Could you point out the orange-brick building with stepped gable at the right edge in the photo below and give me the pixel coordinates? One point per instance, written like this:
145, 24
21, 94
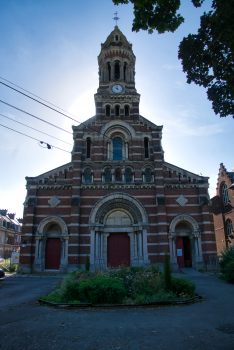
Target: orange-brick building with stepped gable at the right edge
223, 209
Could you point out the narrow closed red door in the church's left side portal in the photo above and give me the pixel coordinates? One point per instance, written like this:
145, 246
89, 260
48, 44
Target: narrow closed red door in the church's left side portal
53, 254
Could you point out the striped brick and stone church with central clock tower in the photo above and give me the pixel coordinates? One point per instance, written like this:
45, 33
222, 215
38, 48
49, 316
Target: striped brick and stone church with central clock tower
118, 200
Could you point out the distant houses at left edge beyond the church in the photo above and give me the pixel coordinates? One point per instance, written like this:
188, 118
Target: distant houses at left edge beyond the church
10, 234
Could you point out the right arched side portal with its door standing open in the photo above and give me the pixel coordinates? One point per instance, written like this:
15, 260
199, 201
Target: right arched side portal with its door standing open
185, 243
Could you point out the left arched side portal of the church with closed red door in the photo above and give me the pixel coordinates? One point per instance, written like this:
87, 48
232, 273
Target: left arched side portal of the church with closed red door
51, 252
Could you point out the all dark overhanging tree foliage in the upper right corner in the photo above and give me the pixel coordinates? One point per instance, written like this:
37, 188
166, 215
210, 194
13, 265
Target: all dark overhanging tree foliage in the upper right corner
207, 57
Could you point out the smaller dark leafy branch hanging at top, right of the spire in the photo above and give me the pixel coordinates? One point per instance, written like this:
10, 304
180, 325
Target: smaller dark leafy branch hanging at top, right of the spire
160, 15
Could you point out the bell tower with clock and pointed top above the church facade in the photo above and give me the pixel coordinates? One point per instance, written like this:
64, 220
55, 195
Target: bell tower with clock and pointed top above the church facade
116, 95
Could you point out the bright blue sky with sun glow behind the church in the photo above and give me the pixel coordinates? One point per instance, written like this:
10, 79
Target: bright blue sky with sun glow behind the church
50, 48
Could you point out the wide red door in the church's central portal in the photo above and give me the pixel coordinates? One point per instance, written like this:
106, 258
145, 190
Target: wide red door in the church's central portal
118, 250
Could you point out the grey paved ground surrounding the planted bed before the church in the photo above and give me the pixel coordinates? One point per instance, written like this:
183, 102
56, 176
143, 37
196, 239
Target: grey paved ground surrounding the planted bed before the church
206, 325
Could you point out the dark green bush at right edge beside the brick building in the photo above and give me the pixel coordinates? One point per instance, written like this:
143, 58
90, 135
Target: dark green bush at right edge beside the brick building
227, 264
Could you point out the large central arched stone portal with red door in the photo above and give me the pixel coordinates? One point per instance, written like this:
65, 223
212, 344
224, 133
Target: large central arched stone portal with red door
118, 224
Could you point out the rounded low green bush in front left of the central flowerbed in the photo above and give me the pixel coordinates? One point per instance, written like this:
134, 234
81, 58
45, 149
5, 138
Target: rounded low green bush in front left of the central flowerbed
101, 289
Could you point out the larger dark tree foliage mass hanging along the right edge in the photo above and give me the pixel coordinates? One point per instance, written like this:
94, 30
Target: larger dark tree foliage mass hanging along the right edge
207, 57
